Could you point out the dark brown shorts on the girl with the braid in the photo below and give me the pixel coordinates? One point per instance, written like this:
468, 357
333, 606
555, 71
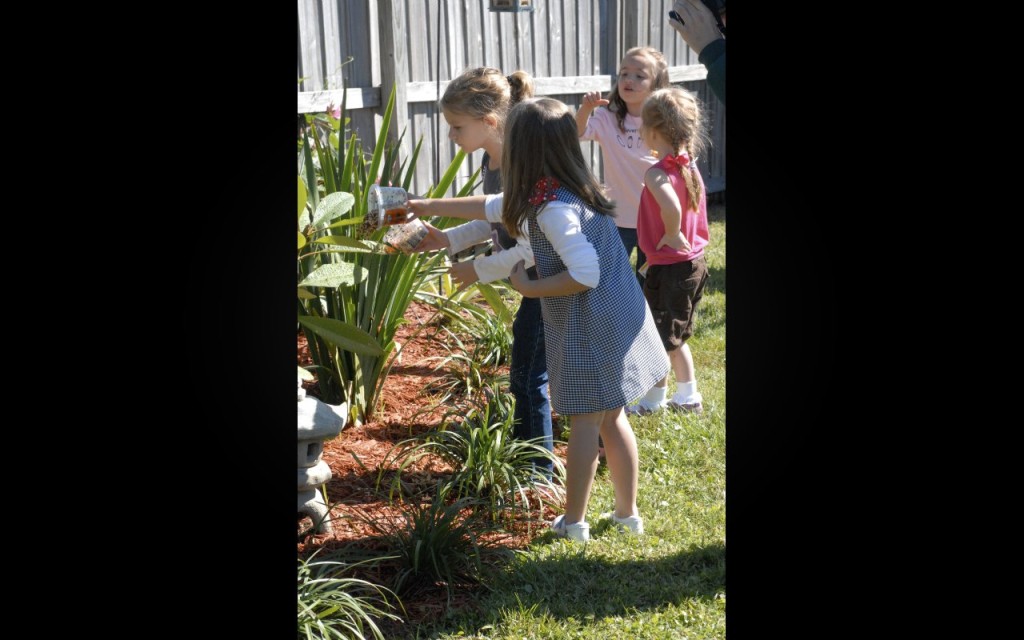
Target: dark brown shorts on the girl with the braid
673, 292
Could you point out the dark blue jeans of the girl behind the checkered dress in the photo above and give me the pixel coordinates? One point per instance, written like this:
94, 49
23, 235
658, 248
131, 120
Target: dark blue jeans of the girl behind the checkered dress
529, 378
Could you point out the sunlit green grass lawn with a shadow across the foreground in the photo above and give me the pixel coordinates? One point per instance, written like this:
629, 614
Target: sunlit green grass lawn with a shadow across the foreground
669, 583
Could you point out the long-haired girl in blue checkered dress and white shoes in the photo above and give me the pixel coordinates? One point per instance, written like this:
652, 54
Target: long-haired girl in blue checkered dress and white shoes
602, 344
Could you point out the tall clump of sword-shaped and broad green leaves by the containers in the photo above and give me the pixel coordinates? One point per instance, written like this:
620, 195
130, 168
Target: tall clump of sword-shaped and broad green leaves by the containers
350, 288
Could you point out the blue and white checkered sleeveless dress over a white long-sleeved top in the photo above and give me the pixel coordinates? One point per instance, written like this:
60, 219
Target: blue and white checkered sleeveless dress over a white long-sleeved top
603, 348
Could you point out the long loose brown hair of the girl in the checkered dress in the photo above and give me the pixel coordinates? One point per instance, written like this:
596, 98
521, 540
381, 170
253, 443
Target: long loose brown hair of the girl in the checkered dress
542, 141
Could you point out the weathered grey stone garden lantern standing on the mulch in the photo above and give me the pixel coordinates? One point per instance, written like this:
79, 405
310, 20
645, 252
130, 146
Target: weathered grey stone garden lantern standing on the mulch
318, 422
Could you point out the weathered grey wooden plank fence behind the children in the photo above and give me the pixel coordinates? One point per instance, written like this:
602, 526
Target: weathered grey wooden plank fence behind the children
365, 49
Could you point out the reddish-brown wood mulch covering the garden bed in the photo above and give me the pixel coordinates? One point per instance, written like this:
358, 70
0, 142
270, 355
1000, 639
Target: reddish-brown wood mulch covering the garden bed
360, 451
